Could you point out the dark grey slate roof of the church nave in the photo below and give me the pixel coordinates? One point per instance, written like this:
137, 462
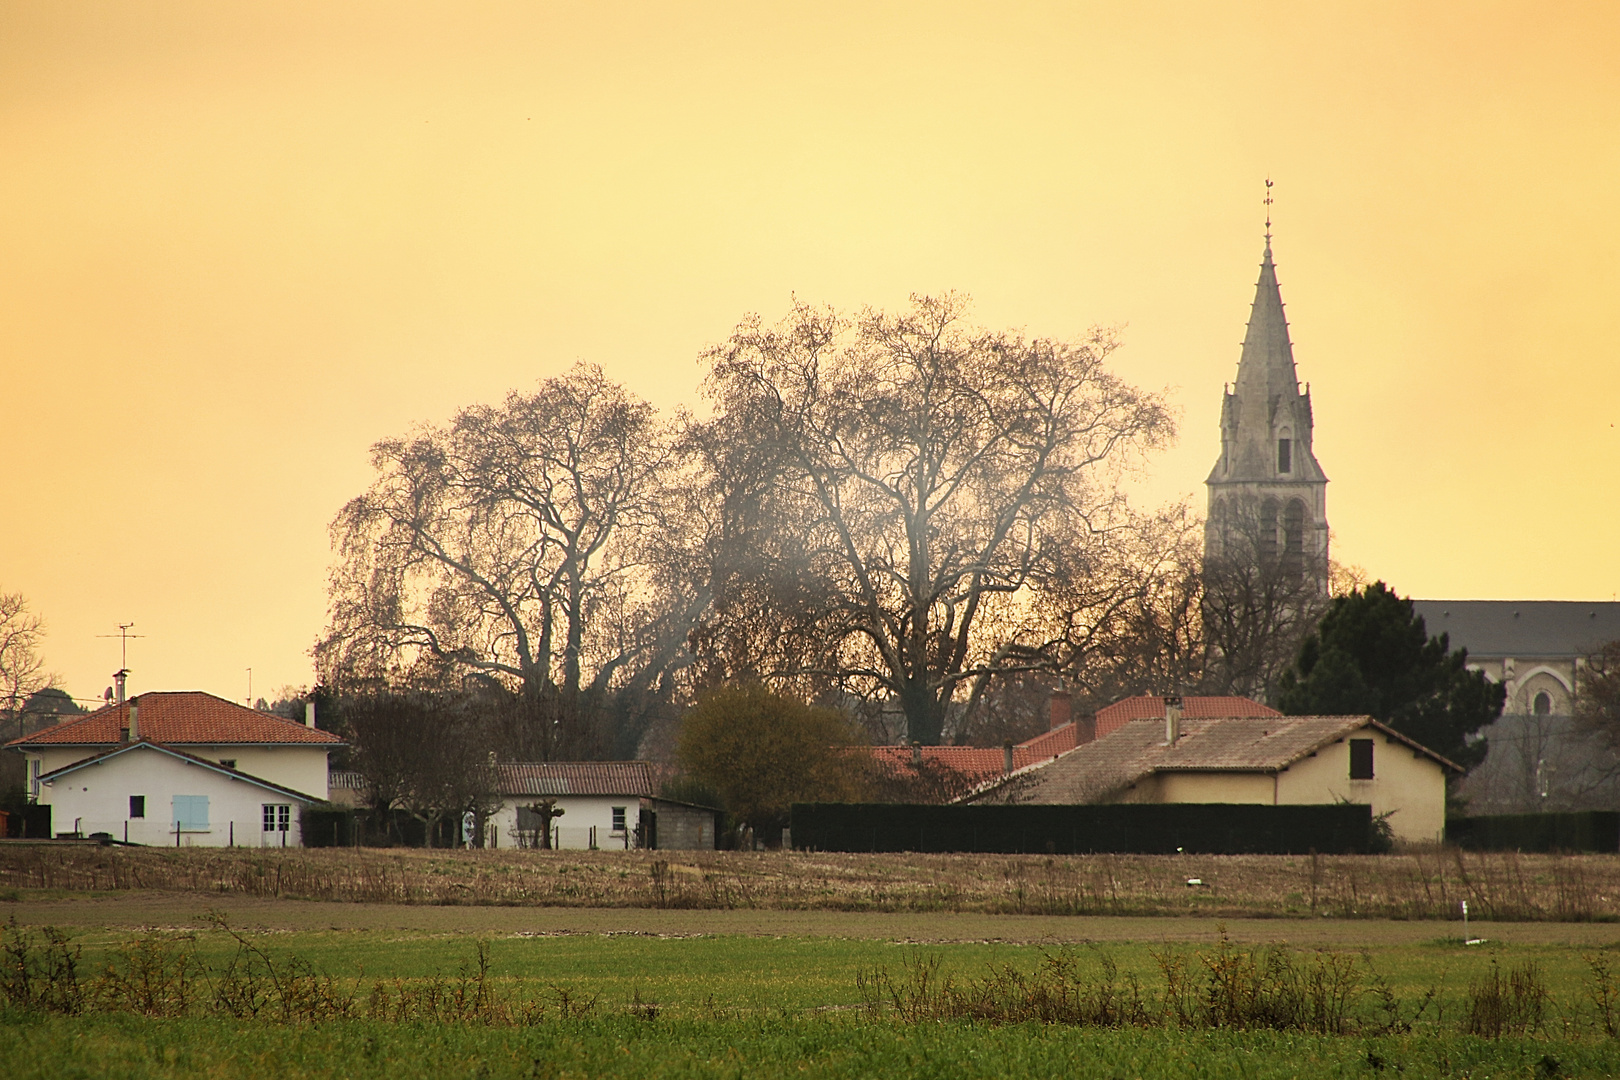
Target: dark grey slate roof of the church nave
1524, 629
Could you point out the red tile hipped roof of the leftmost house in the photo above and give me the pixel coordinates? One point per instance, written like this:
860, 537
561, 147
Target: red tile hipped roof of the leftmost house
179, 718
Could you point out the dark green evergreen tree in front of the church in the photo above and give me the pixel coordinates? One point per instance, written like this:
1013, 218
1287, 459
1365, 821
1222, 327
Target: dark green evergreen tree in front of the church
1371, 655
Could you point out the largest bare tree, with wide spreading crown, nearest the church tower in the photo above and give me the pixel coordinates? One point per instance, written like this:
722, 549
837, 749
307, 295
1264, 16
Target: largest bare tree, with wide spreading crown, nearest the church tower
924, 482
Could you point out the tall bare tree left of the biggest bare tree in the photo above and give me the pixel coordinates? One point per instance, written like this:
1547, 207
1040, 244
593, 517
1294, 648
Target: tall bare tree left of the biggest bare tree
519, 546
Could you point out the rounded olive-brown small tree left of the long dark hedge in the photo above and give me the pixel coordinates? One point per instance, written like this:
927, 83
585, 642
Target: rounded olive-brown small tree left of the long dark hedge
762, 754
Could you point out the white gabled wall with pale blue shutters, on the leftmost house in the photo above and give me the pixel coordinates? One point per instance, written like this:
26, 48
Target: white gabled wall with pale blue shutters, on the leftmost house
96, 799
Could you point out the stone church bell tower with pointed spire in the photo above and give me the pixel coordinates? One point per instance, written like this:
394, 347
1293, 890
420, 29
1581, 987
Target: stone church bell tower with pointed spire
1268, 496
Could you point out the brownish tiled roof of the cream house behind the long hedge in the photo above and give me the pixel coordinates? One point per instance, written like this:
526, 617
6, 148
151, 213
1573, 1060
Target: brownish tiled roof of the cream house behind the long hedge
1101, 770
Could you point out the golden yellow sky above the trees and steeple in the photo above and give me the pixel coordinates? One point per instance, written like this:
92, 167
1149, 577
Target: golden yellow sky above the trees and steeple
242, 242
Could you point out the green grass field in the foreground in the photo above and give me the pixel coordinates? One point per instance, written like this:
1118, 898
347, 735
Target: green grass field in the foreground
710, 995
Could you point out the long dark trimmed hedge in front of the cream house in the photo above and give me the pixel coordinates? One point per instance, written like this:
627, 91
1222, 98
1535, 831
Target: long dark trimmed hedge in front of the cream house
1119, 828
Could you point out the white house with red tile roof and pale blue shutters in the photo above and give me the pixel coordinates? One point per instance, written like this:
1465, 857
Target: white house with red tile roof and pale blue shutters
181, 768
